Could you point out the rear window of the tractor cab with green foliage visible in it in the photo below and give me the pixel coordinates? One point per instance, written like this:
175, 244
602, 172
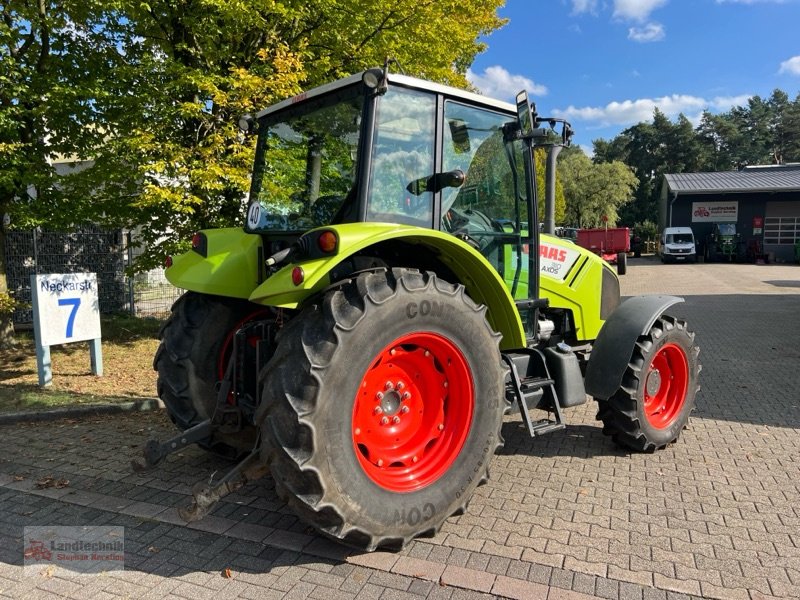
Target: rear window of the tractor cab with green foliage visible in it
306, 163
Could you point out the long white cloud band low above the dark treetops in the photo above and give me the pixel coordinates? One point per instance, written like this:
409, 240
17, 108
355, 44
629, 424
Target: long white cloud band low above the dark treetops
630, 112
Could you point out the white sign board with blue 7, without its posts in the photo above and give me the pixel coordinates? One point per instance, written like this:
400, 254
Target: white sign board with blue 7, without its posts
67, 308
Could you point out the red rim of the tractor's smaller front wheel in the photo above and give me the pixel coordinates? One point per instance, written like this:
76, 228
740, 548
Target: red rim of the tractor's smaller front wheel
665, 386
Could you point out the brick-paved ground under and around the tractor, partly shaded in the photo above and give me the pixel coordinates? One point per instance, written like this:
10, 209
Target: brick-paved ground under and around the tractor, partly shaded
568, 516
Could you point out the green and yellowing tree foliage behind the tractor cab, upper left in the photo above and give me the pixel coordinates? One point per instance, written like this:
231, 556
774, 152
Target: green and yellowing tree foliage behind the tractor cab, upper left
149, 92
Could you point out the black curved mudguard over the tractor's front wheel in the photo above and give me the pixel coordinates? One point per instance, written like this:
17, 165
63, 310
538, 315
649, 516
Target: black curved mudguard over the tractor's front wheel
614, 346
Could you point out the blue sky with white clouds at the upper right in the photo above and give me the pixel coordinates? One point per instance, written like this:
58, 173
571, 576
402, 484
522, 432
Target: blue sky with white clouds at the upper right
604, 65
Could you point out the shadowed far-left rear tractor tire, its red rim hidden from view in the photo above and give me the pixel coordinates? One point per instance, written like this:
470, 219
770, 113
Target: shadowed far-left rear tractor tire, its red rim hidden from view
192, 356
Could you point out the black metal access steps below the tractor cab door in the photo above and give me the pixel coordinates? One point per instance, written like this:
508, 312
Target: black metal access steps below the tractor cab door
531, 387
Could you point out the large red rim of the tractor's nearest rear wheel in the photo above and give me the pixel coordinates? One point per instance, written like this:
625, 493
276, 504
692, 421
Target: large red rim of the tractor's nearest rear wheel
412, 412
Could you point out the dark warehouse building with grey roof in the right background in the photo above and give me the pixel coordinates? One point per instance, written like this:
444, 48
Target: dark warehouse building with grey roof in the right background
763, 202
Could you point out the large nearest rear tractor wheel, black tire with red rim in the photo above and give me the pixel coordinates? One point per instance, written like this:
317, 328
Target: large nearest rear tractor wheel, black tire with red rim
382, 408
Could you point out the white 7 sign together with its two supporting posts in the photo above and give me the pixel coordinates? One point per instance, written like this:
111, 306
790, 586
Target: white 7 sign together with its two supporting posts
65, 310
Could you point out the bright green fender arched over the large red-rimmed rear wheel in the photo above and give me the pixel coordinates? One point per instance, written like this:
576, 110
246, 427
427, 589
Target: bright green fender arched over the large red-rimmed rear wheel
480, 279
